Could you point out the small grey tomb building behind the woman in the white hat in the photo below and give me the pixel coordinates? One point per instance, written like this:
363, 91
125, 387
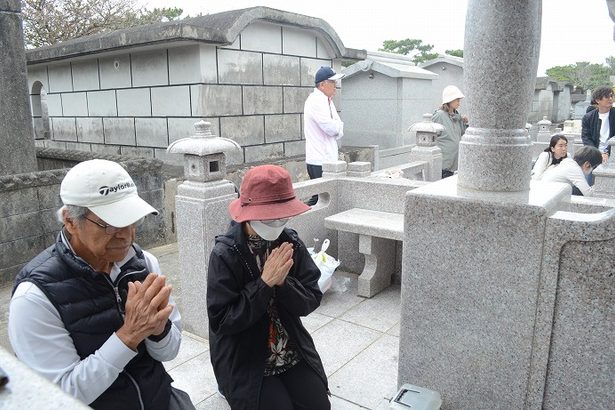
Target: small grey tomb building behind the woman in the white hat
383, 95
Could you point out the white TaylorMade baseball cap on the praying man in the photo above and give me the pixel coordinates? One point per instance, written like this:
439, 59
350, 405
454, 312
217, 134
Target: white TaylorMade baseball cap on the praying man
106, 189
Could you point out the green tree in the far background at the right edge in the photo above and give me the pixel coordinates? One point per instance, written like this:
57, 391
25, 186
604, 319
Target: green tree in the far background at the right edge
584, 74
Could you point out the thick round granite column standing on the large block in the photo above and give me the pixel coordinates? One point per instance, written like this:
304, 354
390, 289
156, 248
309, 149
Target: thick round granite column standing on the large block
502, 42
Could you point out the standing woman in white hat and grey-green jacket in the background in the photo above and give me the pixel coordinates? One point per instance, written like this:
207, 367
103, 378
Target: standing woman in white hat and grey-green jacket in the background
454, 127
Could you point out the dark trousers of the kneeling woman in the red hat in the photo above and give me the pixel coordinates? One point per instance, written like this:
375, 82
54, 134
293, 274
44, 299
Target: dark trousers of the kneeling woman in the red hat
298, 388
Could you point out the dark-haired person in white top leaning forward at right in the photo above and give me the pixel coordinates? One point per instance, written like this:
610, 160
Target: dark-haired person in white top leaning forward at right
574, 172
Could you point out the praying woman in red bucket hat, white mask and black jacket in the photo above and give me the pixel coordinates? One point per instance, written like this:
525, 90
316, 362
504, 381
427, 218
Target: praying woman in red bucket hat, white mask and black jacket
261, 280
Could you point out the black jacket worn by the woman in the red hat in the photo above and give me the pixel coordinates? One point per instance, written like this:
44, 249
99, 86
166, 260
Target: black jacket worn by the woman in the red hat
237, 301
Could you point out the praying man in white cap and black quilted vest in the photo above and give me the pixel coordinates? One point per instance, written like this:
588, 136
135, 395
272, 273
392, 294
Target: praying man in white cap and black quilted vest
91, 312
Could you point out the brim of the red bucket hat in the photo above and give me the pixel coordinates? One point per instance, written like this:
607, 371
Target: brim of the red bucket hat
266, 212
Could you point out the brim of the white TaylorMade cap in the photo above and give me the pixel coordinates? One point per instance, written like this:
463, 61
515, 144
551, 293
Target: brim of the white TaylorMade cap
124, 212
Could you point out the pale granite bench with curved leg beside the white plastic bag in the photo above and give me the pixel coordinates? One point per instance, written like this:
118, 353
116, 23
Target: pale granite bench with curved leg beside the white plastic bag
377, 232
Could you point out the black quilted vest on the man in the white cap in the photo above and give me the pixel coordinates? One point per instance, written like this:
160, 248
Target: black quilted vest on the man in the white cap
91, 308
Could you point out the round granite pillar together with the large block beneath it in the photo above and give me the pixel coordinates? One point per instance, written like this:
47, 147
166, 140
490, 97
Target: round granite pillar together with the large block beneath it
472, 250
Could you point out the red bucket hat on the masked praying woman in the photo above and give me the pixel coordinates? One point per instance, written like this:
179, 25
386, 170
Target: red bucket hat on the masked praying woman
266, 193
